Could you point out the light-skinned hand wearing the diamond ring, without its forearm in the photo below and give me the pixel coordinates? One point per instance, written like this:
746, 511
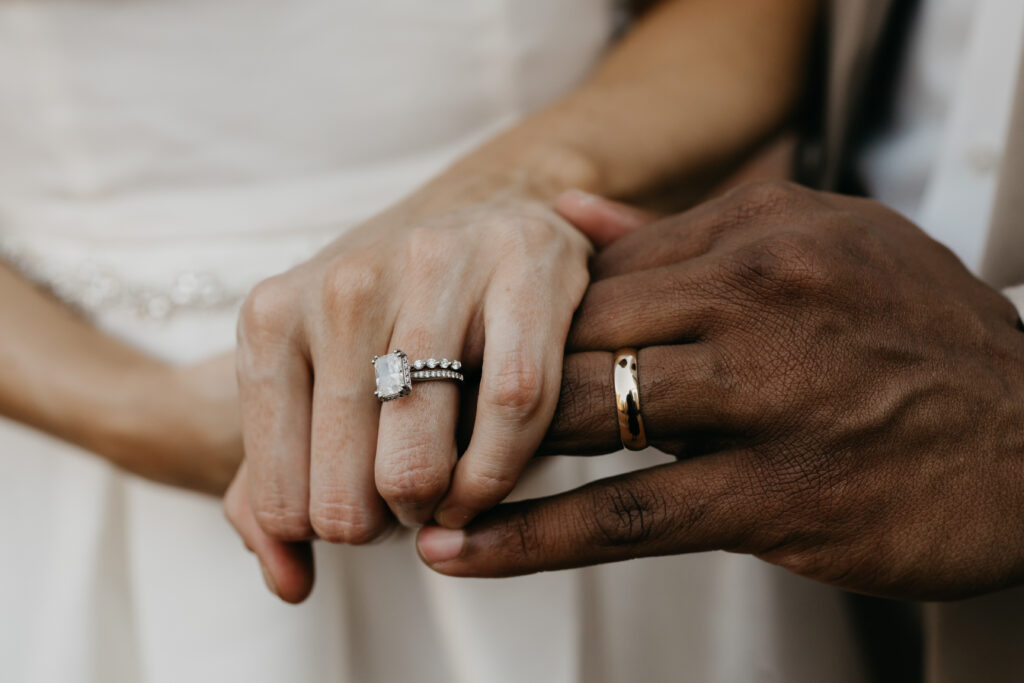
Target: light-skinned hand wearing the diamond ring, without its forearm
493, 284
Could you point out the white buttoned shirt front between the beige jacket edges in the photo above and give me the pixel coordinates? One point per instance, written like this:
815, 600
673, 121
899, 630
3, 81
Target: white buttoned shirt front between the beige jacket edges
938, 163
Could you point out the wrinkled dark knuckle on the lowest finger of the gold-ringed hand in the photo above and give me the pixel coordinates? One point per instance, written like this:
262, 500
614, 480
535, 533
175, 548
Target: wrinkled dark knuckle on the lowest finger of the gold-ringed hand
625, 515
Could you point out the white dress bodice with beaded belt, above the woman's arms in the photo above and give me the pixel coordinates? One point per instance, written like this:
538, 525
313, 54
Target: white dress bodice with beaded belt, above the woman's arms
161, 155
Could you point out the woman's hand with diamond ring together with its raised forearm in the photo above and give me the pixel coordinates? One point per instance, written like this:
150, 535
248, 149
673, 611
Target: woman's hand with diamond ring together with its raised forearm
477, 266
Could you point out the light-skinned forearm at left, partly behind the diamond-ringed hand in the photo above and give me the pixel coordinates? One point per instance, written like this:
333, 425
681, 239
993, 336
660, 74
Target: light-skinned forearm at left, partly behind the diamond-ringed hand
177, 425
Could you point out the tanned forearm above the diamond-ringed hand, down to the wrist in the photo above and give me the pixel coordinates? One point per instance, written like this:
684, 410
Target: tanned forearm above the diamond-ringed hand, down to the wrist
695, 84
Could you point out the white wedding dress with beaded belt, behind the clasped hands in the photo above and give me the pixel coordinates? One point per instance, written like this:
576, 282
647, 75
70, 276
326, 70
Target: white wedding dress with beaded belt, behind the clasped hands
157, 160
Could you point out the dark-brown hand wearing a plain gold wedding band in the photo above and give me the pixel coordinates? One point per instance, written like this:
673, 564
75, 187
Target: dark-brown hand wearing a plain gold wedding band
847, 402
